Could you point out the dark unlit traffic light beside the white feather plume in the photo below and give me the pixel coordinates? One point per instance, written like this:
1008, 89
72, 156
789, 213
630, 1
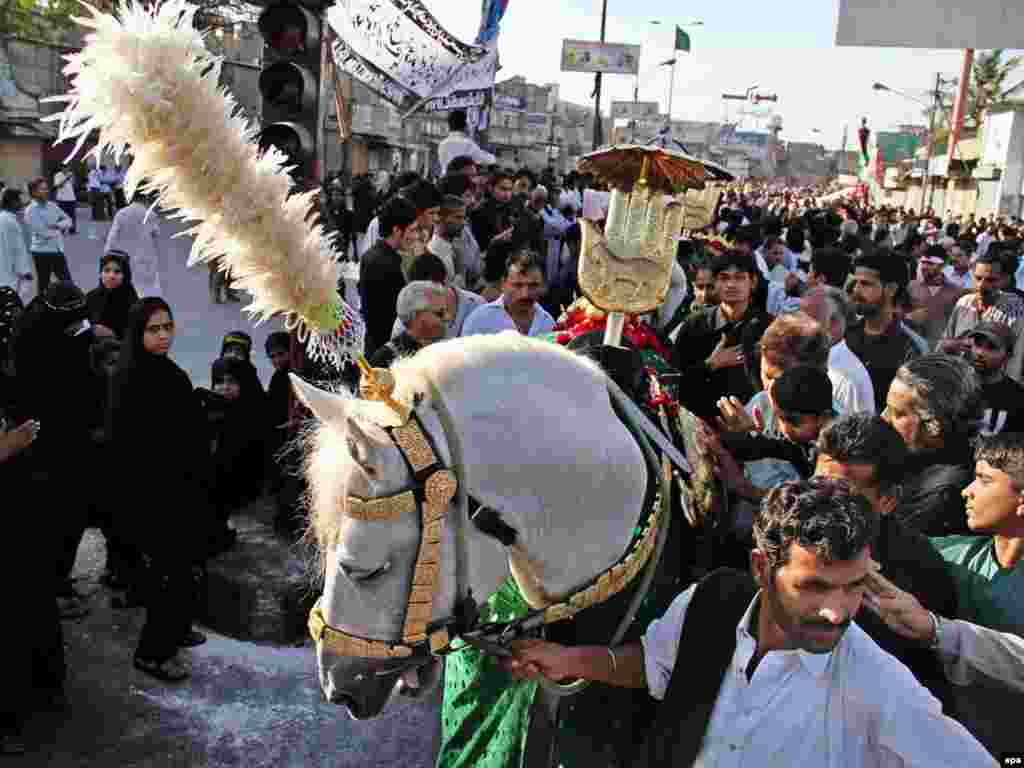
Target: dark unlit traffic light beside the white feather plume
289, 86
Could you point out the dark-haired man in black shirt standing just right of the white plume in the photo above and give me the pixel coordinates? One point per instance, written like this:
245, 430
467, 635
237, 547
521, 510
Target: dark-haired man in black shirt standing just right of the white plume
381, 279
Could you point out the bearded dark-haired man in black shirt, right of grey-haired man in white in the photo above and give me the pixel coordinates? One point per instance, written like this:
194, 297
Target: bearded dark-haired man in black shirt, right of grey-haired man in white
879, 339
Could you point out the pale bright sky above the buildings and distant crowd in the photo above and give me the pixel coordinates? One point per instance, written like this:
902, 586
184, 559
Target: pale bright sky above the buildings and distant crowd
788, 49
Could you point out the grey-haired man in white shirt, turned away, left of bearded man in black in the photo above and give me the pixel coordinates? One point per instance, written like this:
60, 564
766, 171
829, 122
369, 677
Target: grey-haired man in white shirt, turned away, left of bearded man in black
851, 382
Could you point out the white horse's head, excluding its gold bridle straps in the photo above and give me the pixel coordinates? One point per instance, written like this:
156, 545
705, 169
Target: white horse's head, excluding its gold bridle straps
368, 565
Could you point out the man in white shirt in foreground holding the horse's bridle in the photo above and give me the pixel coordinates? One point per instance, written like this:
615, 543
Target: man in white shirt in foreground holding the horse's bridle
794, 681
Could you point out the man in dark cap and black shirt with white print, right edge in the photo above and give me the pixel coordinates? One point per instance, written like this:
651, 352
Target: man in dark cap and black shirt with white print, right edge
992, 345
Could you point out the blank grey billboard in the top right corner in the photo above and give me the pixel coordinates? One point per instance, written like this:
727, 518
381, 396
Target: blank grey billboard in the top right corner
931, 24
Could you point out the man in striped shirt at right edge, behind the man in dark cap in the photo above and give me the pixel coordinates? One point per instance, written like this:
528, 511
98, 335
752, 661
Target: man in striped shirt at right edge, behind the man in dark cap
987, 305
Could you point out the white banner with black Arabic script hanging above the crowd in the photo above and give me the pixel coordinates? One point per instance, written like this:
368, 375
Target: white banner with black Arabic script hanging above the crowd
399, 51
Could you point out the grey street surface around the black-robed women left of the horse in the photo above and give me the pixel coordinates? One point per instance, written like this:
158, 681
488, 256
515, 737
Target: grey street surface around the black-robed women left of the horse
246, 704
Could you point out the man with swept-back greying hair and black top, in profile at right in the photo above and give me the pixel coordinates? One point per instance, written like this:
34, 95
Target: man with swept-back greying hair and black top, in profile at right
935, 403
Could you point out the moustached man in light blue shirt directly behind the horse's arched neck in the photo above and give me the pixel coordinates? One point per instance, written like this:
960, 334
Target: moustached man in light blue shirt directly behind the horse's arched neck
518, 308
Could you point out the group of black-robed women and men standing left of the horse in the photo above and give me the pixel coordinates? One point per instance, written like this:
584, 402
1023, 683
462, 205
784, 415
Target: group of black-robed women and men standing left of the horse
103, 430
